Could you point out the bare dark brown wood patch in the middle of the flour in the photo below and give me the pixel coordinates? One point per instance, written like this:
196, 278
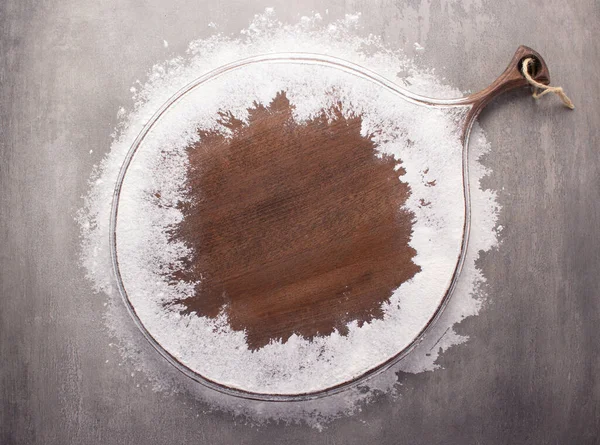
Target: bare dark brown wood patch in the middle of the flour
296, 228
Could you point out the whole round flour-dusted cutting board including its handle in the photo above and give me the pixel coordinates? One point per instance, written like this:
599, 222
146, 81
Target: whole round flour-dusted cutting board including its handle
291, 223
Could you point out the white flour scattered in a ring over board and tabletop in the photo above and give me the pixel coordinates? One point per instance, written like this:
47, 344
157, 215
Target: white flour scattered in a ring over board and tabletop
209, 346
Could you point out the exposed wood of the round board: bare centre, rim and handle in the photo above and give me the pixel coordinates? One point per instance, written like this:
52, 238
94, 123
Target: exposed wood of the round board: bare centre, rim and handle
299, 228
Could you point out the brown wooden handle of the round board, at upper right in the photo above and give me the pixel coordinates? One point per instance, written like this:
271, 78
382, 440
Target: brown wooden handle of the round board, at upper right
511, 78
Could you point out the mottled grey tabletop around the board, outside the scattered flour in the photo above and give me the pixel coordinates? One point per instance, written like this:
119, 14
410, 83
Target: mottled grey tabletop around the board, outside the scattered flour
530, 372
